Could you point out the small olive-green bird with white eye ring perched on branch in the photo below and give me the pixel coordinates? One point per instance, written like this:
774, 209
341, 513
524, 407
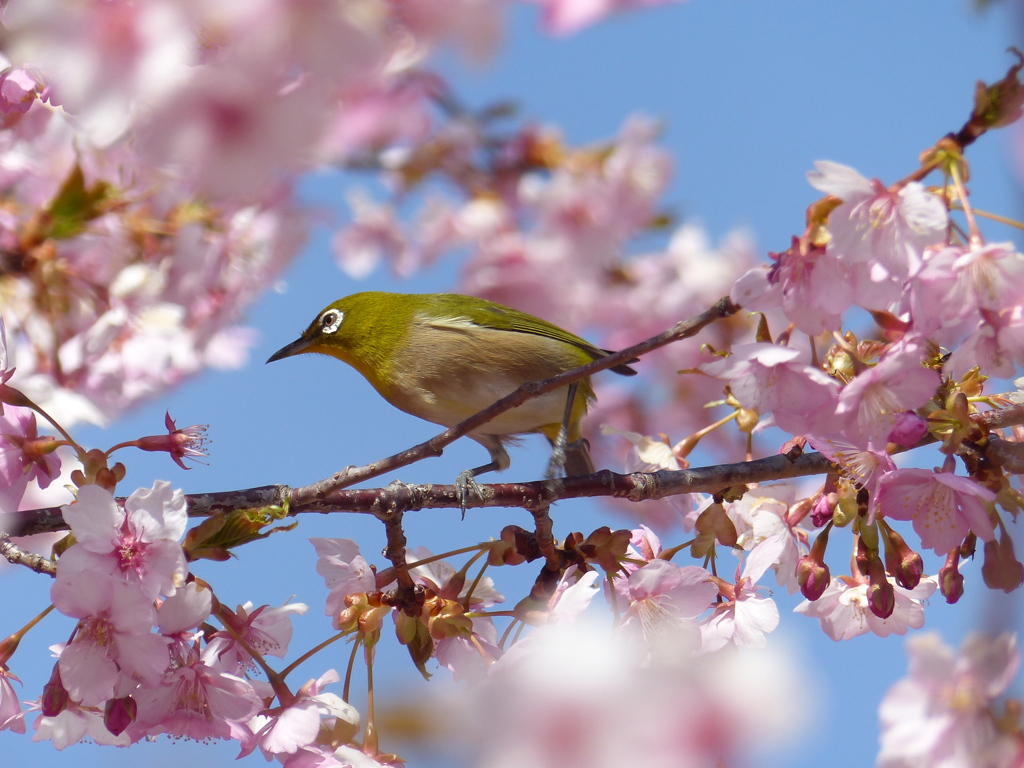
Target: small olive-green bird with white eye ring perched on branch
445, 358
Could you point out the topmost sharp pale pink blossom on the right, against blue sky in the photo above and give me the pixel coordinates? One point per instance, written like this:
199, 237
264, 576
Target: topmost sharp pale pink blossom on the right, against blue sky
875, 225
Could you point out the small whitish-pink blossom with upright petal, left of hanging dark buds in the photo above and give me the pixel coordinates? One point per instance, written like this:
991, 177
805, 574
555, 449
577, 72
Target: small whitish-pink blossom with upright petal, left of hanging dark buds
745, 618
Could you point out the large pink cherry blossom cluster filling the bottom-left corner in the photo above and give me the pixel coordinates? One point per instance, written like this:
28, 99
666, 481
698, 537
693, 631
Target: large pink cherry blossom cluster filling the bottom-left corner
144, 660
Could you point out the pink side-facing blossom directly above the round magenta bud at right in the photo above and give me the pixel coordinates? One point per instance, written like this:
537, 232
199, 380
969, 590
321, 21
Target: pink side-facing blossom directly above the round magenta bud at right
871, 402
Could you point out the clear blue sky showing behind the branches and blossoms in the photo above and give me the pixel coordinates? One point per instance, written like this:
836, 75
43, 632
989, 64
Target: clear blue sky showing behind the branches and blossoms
751, 95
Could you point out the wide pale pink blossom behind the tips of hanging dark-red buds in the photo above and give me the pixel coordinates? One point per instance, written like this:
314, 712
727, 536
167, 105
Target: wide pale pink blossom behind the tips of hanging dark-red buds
844, 613
